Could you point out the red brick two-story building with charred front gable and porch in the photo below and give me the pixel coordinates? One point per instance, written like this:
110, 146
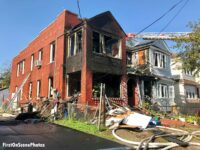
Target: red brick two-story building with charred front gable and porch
73, 55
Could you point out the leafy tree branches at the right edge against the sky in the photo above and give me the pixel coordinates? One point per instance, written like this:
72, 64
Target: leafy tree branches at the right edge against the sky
189, 47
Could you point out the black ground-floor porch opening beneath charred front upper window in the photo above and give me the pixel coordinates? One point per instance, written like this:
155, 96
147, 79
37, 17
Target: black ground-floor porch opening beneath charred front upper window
112, 85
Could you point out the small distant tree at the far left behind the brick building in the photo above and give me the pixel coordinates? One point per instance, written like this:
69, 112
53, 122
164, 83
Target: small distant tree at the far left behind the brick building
5, 76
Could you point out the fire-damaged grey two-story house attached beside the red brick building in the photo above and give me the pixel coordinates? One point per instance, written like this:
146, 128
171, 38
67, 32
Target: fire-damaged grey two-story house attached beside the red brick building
148, 66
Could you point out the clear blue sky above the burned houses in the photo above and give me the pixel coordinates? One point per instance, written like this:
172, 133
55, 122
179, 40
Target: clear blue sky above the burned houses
22, 20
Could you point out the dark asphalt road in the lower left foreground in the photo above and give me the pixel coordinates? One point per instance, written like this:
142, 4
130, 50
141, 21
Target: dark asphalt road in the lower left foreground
54, 137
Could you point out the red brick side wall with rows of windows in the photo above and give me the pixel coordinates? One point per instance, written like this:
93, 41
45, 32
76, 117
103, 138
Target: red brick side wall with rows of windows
54, 32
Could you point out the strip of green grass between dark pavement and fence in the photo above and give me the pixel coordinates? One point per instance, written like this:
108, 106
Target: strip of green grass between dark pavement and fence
86, 128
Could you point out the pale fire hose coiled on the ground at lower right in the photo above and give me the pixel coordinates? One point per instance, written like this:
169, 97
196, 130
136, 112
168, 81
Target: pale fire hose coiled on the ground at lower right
144, 144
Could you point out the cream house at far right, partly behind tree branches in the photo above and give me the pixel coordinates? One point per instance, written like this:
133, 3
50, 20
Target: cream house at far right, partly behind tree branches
187, 87
